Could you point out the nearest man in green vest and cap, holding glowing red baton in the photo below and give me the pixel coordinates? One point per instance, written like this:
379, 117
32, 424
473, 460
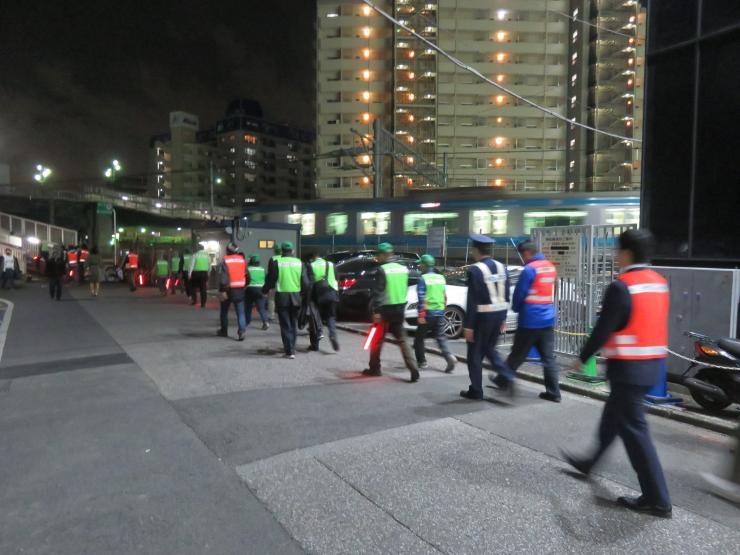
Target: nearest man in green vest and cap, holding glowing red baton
388, 306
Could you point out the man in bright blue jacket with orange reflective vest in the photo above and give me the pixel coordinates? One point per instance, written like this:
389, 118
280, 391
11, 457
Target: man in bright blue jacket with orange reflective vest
533, 299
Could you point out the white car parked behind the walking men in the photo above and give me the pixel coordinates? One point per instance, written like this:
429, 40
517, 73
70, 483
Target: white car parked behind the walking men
457, 299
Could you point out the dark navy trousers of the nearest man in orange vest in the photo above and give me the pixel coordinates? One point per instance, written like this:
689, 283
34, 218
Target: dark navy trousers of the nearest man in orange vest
624, 416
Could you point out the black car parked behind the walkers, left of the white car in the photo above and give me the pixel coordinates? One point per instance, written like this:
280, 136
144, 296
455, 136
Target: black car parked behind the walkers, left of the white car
356, 278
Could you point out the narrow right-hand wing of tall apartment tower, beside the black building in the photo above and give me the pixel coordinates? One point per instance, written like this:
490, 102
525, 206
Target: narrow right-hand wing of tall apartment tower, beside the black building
605, 90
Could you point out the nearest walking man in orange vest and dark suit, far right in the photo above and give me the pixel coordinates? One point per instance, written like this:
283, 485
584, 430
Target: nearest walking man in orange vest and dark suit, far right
632, 332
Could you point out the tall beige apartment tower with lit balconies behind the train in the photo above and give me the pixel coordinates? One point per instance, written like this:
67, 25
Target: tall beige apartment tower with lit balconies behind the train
368, 68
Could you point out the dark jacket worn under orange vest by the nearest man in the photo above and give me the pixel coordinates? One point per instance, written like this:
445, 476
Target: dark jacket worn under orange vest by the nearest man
616, 310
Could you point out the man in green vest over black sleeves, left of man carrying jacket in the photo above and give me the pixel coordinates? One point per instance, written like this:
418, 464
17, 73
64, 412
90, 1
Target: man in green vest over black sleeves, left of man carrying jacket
287, 276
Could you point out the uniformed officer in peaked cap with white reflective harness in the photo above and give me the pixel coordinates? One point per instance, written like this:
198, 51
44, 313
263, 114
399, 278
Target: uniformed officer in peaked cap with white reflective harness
485, 313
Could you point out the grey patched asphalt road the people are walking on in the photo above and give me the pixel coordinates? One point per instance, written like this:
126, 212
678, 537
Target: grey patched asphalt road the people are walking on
127, 427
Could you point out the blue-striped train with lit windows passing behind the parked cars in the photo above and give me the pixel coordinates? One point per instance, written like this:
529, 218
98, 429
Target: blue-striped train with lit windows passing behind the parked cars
355, 224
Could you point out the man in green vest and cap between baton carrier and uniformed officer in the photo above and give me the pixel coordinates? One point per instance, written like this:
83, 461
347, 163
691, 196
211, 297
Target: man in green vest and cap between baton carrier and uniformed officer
432, 303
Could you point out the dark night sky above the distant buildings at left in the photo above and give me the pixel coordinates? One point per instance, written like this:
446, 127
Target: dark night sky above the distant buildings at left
82, 82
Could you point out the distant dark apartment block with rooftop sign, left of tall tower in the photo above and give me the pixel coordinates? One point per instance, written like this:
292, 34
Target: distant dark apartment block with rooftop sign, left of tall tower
243, 159
